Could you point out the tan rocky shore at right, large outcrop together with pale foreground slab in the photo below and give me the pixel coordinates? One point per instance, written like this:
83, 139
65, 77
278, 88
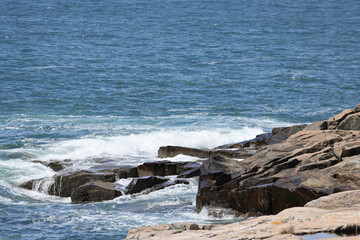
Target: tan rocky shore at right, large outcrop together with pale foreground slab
329, 185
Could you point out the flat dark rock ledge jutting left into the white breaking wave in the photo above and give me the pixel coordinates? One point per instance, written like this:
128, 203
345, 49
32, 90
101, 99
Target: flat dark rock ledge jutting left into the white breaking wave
172, 151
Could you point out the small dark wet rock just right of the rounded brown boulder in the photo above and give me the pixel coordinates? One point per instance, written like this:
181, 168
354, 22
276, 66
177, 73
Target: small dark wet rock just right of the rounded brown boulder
140, 184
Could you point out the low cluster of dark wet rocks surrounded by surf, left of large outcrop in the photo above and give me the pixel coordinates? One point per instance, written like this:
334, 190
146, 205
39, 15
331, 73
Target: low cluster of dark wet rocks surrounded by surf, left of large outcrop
87, 186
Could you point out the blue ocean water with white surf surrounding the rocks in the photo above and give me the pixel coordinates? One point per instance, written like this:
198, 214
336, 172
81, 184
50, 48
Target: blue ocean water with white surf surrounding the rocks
117, 79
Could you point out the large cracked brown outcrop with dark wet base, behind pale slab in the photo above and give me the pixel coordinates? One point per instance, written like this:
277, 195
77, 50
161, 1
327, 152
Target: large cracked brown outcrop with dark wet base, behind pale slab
303, 167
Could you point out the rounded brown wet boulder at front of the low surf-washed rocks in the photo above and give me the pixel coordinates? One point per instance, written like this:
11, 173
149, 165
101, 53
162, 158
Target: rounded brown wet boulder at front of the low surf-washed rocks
94, 192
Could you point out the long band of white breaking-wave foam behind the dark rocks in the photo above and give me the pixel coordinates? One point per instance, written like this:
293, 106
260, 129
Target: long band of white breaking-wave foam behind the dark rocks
142, 144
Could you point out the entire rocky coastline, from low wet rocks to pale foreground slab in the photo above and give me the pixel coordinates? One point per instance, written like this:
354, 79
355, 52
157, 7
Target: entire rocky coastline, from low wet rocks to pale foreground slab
305, 178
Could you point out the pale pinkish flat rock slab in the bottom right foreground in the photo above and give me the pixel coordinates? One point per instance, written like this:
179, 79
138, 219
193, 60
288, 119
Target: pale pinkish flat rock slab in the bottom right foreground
288, 224
